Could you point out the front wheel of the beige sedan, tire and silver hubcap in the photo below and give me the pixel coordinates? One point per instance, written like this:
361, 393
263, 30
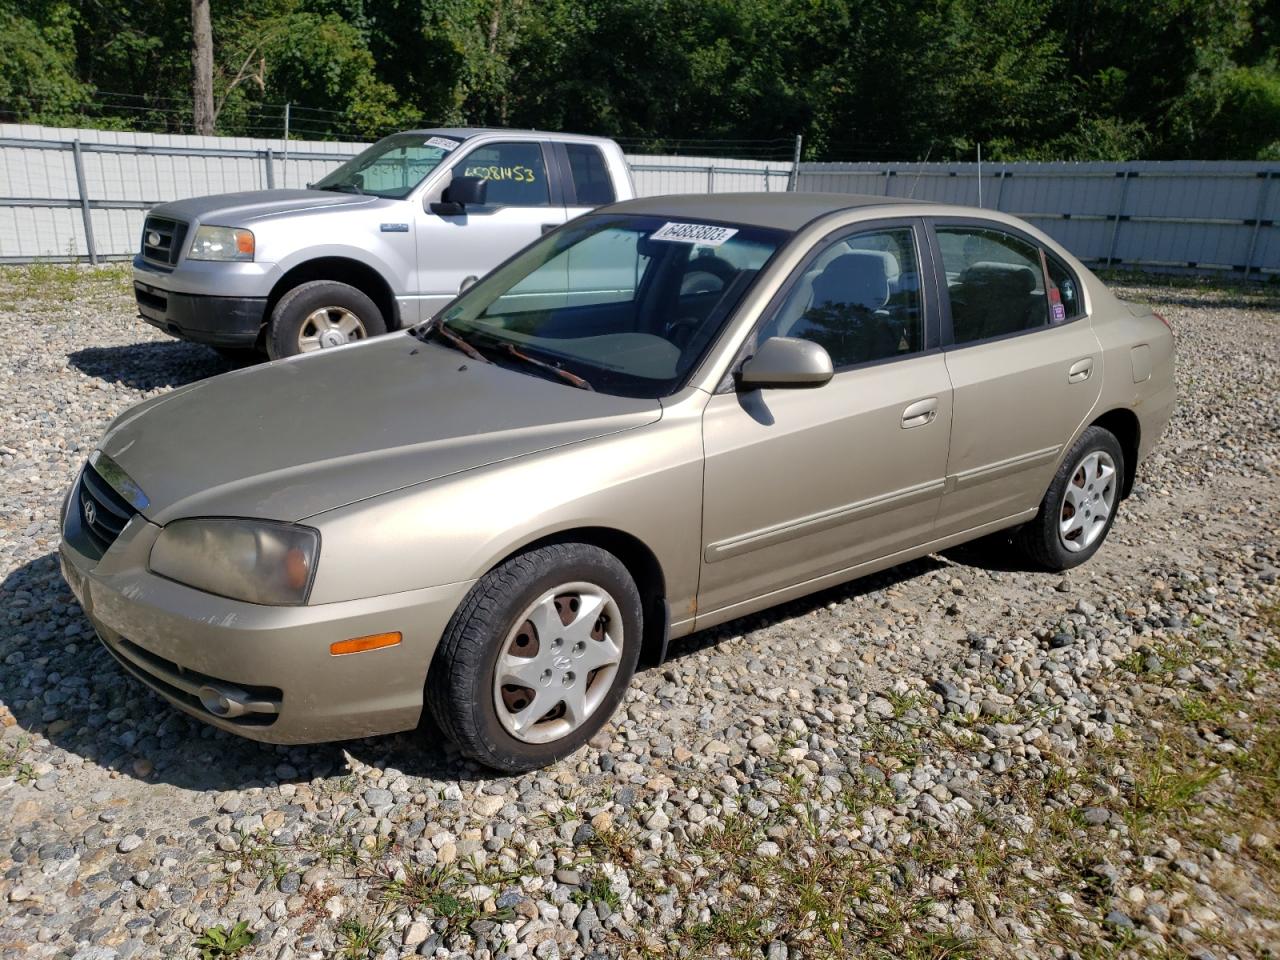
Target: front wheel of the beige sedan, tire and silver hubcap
496, 636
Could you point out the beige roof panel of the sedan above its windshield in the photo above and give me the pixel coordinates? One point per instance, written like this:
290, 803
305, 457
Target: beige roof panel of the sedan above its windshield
788, 212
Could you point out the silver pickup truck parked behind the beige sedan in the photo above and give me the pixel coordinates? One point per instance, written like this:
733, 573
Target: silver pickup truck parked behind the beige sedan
382, 243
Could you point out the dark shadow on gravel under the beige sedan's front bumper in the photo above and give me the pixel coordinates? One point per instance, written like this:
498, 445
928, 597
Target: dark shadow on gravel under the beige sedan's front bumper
60, 683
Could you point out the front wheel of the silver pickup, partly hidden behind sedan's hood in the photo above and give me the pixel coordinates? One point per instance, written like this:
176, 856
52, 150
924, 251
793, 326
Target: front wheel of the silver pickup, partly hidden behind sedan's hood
322, 314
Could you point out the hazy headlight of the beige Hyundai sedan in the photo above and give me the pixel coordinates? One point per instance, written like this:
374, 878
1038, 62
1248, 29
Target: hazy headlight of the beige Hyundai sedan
259, 561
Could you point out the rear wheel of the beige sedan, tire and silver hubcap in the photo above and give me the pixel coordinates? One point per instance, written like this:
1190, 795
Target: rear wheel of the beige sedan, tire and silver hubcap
1080, 506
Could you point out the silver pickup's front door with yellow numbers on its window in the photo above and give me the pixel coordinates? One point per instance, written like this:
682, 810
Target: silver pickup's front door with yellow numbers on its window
524, 202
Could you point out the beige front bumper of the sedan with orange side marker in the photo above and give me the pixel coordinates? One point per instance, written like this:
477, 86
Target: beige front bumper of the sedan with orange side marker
184, 642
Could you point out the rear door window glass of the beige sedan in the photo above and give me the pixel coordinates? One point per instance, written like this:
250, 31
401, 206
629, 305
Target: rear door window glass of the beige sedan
995, 282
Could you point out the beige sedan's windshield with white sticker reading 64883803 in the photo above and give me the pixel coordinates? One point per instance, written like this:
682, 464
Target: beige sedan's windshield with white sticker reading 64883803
627, 304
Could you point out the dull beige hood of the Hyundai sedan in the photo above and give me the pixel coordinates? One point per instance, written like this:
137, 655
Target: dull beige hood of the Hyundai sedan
300, 437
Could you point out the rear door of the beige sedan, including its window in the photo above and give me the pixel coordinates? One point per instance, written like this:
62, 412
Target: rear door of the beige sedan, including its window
1025, 373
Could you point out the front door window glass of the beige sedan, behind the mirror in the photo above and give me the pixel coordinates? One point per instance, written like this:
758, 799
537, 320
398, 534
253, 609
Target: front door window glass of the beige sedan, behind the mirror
860, 299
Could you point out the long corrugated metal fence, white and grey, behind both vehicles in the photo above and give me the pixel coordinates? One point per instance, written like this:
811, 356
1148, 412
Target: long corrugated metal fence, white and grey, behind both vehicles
67, 194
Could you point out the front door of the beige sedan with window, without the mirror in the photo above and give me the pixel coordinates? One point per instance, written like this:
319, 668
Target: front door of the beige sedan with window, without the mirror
803, 483
